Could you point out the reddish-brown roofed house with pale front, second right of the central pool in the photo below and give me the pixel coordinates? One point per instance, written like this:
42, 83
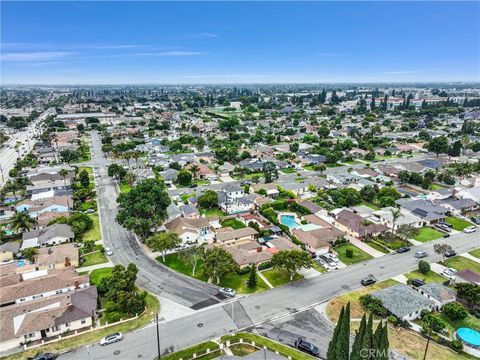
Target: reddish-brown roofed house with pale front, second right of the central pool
357, 226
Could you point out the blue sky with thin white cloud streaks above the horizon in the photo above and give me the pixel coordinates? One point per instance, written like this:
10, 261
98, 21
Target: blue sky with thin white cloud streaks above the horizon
238, 42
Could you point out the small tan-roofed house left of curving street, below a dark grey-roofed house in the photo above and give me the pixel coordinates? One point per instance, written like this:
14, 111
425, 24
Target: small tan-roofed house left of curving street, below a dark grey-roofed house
57, 257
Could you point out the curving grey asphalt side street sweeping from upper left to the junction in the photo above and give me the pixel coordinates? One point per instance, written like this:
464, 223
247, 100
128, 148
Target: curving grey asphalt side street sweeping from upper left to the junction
152, 276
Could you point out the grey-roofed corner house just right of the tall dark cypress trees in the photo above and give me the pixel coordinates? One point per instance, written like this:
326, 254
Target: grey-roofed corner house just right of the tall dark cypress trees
404, 302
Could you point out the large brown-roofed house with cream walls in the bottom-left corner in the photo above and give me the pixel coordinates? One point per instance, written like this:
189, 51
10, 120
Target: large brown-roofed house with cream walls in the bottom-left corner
44, 318
